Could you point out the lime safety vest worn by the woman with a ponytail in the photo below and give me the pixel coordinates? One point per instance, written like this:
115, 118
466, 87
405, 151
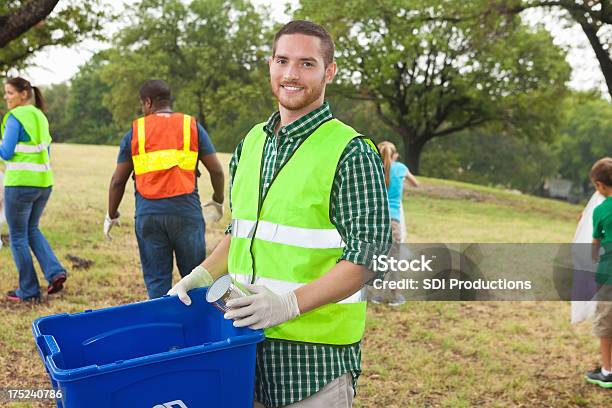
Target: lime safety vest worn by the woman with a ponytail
30, 165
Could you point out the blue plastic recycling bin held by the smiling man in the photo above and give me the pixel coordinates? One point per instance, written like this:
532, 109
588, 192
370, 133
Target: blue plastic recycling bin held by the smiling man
153, 354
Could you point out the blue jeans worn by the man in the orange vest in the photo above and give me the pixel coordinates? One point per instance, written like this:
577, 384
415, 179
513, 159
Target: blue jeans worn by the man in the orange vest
160, 238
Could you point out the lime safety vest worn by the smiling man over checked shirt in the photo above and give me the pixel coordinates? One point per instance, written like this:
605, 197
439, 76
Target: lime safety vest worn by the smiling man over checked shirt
287, 240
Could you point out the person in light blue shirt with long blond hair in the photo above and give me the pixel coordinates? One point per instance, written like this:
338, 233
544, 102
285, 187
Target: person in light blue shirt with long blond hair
396, 175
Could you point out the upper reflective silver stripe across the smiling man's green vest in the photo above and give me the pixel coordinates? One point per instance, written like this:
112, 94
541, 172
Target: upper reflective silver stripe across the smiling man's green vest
284, 234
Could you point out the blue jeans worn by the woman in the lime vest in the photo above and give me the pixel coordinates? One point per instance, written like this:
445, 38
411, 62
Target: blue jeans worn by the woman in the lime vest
24, 207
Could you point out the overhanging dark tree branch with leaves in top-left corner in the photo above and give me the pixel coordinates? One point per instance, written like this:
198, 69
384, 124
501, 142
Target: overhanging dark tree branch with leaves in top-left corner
29, 26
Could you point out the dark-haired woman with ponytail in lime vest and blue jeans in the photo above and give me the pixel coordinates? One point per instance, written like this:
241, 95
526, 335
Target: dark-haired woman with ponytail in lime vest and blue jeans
27, 186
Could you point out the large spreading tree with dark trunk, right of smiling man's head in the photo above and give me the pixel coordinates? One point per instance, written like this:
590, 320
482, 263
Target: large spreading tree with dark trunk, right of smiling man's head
430, 75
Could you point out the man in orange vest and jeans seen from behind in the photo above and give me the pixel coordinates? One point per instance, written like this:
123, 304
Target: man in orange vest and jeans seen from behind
162, 150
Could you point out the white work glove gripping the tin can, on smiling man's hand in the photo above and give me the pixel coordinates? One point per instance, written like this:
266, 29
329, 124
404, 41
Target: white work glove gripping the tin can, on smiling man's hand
262, 309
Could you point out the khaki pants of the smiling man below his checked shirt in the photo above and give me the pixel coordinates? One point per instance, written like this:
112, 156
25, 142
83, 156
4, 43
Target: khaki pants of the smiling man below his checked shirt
336, 394
